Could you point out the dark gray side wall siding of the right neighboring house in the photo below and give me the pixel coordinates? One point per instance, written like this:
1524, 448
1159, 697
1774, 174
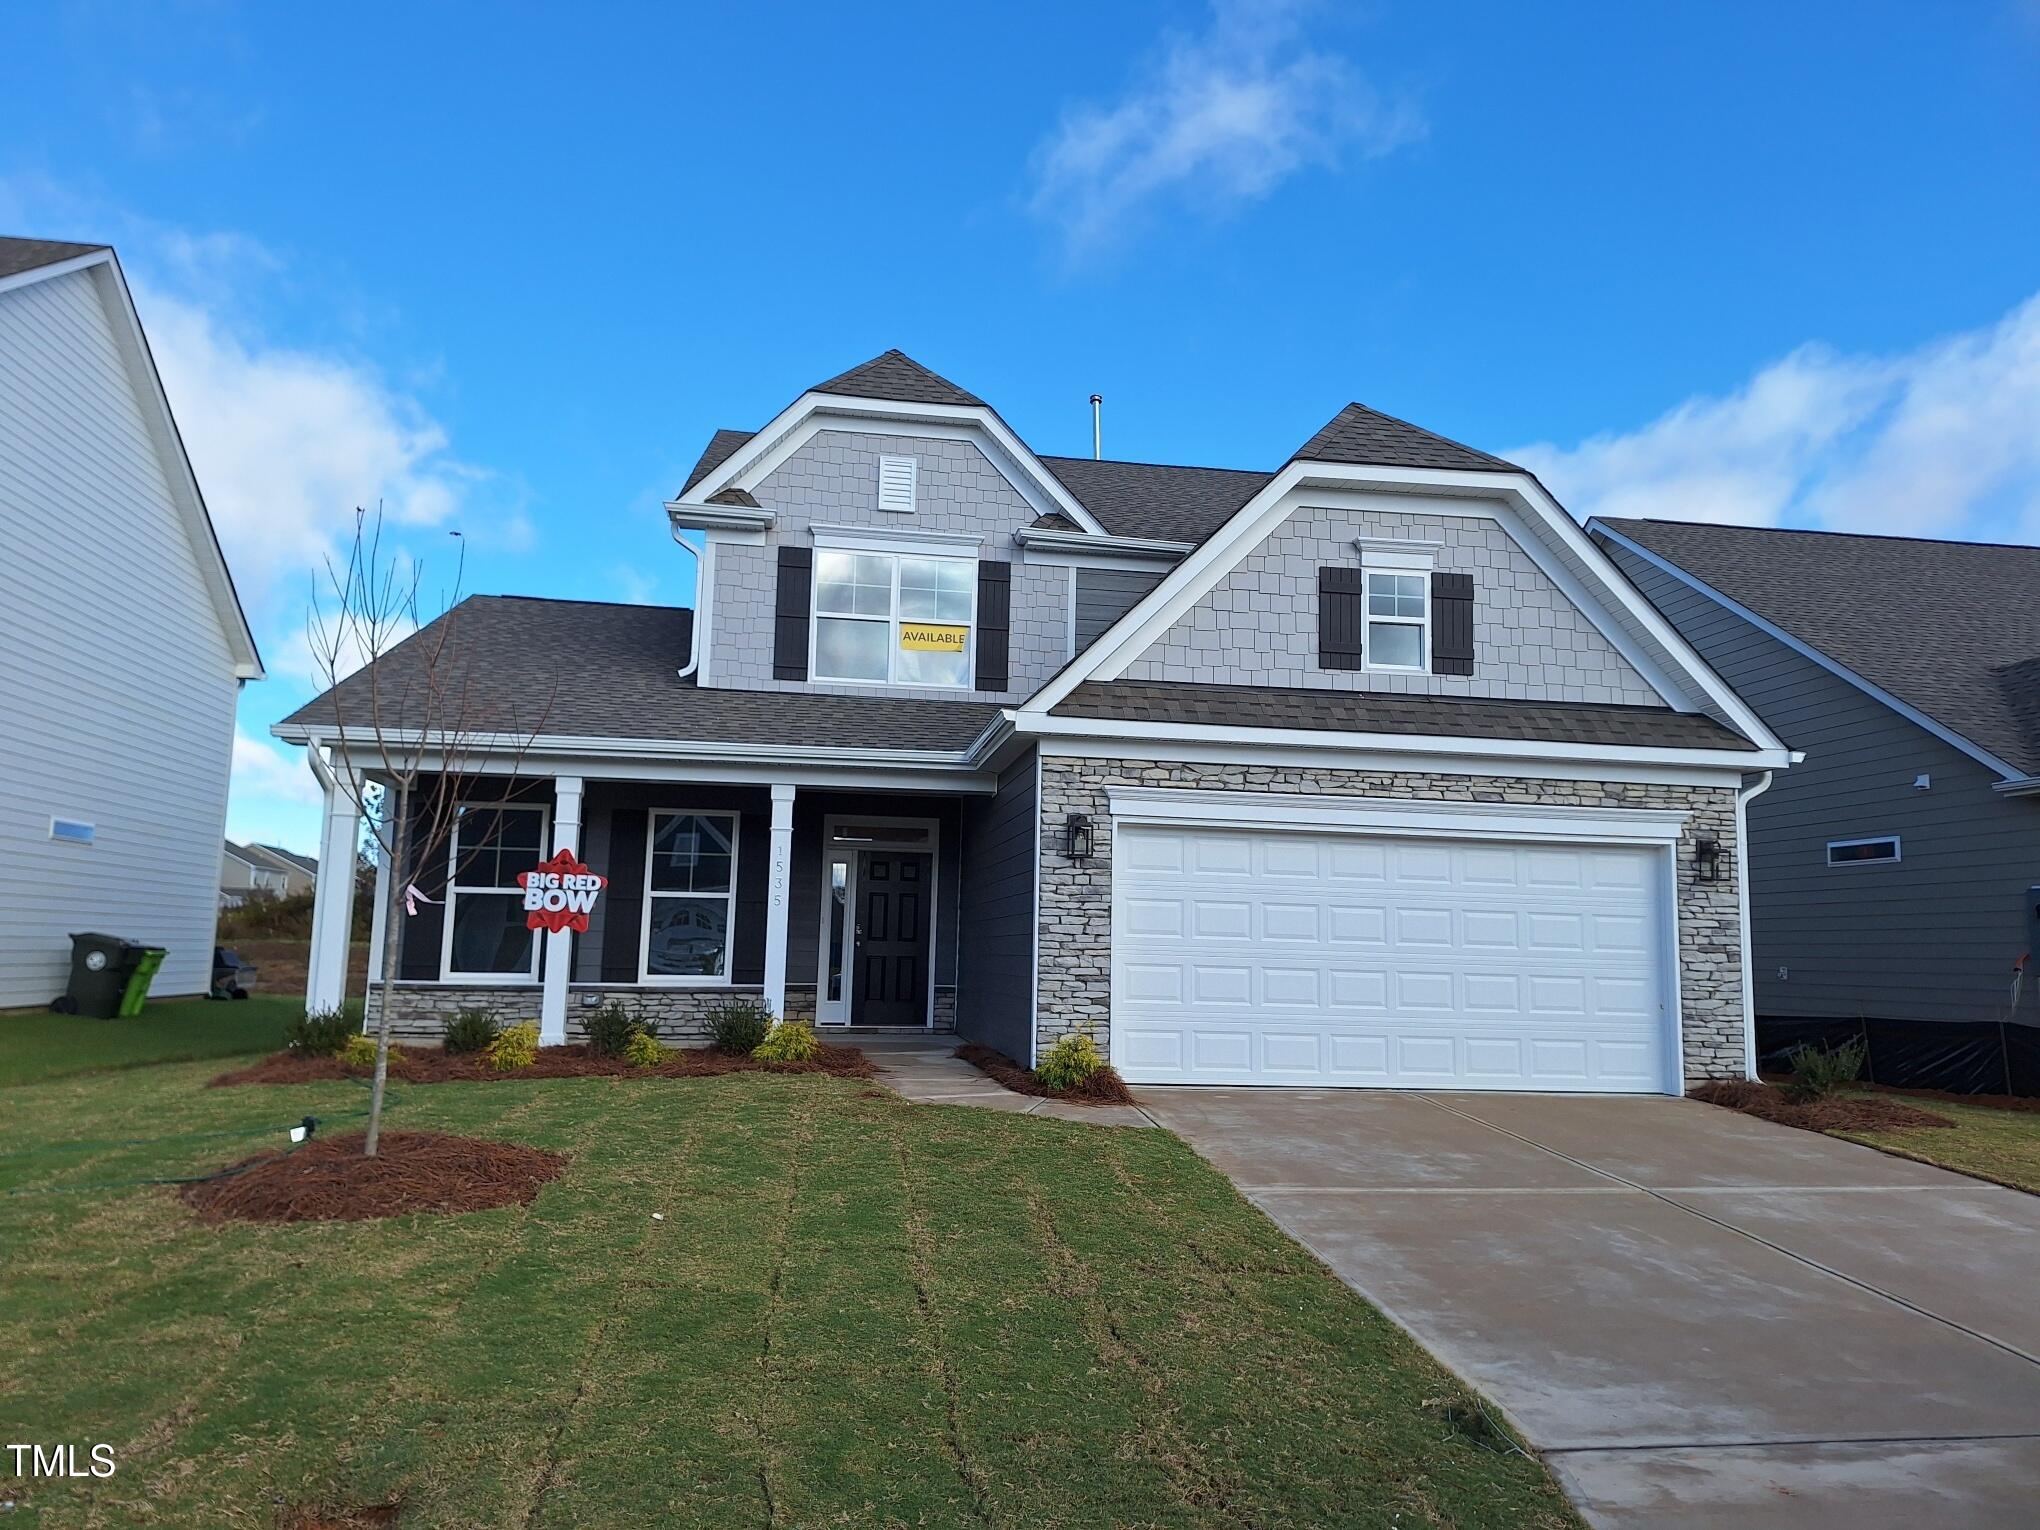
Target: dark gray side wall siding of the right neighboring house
1931, 937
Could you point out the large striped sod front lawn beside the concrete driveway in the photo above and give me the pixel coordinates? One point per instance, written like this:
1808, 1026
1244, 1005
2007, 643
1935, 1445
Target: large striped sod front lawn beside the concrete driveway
856, 1313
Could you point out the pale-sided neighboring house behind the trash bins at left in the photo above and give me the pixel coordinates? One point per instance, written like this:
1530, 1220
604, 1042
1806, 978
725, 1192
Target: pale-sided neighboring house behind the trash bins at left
121, 642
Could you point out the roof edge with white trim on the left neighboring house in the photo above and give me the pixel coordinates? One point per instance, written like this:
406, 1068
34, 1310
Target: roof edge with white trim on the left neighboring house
42, 260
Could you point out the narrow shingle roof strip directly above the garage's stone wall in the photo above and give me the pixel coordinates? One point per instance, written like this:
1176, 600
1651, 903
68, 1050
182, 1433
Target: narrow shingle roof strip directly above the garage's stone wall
1260, 707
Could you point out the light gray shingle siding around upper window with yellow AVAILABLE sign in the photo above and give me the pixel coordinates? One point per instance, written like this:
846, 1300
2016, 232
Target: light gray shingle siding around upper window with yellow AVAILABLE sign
833, 482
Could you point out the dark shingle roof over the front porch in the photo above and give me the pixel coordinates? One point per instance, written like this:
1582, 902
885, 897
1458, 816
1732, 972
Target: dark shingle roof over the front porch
580, 668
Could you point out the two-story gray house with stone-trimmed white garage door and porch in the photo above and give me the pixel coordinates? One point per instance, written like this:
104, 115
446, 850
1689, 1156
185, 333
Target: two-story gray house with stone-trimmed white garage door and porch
1364, 772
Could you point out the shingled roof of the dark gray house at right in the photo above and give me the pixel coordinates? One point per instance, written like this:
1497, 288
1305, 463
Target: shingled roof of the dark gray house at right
1947, 629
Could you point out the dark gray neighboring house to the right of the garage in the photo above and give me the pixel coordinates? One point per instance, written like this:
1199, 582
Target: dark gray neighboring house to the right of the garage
1894, 868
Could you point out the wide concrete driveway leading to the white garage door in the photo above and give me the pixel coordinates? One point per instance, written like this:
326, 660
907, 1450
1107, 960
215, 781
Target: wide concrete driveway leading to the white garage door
1696, 1317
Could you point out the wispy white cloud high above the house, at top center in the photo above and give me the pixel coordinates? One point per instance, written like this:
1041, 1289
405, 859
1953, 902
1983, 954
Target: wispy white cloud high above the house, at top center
1215, 121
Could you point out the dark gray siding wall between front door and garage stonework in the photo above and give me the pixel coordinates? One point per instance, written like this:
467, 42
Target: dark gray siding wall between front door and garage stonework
997, 917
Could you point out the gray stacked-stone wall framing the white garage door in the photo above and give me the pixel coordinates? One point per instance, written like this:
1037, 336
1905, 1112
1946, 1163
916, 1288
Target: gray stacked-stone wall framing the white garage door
1076, 901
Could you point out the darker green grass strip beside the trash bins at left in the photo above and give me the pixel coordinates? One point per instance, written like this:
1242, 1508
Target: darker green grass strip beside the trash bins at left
38, 1048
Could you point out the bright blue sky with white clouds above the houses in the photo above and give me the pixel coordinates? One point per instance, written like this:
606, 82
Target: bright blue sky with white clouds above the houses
505, 268
